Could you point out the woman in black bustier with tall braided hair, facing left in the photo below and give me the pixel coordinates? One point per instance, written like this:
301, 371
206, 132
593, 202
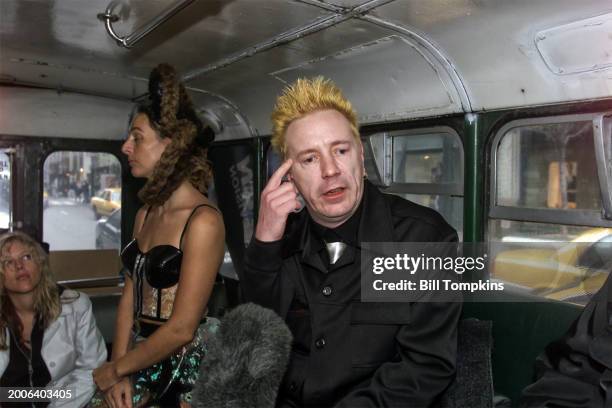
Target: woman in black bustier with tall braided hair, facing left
172, 261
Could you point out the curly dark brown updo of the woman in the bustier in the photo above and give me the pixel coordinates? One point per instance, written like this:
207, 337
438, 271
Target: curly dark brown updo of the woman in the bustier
172, 115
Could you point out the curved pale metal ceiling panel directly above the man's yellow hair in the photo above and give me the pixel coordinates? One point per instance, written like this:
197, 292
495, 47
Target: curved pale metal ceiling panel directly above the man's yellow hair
409, 83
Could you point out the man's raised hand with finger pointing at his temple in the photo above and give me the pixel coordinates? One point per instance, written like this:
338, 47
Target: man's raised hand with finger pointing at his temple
278, 199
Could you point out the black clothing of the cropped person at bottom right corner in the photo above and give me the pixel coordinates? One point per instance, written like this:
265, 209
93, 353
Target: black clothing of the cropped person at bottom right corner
576, 371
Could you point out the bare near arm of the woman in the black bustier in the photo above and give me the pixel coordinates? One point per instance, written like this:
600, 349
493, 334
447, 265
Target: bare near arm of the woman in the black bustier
203, 248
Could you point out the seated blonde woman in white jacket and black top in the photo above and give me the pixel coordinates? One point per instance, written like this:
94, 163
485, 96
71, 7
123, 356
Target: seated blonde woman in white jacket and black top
48, 335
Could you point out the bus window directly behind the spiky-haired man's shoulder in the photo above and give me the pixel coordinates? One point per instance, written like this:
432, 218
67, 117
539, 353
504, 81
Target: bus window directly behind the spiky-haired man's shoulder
426, 166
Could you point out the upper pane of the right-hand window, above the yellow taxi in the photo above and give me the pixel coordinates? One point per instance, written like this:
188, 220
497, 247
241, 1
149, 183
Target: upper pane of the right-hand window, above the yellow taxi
548, 166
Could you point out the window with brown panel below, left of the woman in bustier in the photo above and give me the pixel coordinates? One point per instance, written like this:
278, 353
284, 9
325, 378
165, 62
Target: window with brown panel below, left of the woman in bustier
82, 213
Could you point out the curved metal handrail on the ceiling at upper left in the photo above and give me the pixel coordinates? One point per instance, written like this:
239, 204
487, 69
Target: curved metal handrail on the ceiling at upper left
128, 41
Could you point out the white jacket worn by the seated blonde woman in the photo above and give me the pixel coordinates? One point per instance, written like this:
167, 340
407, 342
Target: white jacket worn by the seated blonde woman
72, 347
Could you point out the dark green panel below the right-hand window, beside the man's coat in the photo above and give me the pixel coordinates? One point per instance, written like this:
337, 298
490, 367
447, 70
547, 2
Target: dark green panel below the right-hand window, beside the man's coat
521, 330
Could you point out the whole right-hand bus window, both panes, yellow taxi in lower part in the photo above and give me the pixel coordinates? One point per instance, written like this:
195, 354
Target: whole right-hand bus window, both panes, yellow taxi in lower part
545, 218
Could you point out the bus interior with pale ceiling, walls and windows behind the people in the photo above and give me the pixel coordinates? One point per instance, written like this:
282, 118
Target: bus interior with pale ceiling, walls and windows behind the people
495, 113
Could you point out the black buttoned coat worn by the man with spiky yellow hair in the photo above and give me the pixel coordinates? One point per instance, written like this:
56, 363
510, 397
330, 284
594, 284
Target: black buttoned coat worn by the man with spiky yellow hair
362, 354
